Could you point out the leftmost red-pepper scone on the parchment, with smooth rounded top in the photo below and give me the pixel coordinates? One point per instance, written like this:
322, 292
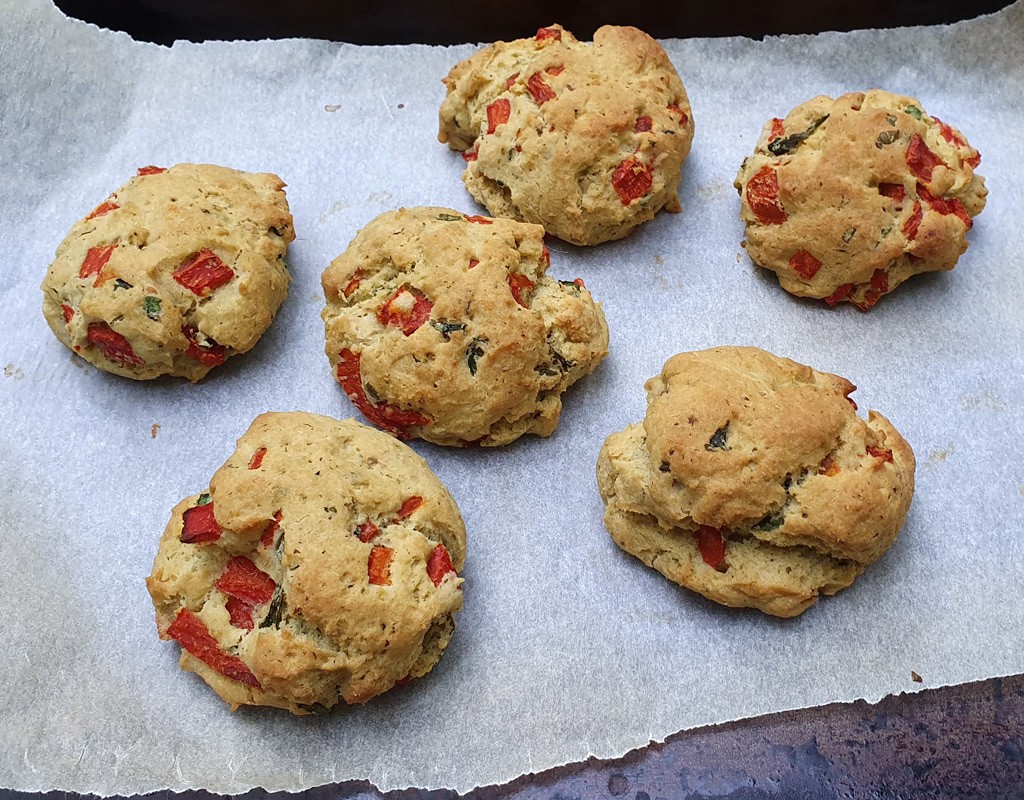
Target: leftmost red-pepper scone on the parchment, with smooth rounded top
174, 273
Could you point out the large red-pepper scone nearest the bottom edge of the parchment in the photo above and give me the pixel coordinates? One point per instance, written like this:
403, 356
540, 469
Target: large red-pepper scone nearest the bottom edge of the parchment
321, 566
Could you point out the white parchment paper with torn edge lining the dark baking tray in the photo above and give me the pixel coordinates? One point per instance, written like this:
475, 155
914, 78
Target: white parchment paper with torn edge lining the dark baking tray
567, 648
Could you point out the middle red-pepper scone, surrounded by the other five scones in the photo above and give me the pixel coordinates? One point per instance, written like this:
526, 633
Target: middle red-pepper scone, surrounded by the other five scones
447, 327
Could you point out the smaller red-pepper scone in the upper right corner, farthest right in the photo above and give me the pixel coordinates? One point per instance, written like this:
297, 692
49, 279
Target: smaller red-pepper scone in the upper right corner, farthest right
846, 199
